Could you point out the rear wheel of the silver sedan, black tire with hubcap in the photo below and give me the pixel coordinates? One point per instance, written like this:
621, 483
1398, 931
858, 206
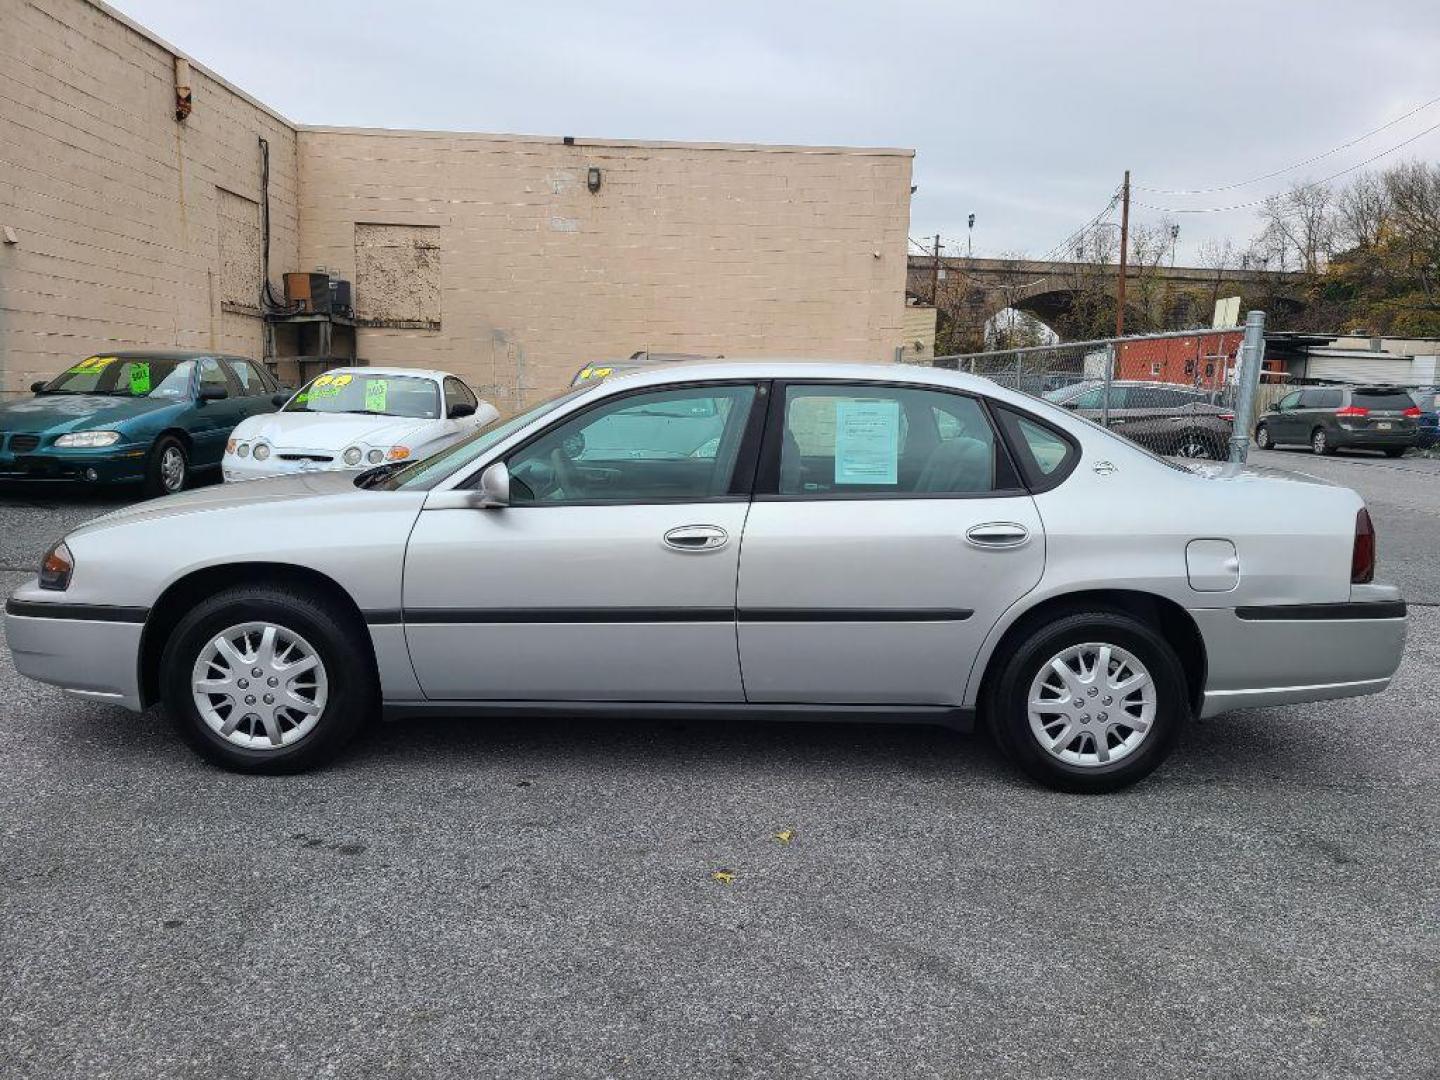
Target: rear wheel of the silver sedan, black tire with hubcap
1076, 765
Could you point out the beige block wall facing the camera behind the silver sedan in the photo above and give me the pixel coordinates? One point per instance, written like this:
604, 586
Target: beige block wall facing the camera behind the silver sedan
525, 274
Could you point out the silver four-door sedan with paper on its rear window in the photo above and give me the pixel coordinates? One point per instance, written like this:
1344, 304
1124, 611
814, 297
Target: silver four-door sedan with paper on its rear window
744, 539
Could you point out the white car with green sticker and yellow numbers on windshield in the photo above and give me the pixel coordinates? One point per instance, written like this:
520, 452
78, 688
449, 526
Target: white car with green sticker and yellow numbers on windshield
355, 418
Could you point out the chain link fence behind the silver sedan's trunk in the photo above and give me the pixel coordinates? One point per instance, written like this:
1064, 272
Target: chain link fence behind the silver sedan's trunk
1174, 394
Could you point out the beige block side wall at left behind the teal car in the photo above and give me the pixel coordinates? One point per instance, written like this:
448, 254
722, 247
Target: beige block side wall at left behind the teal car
122, 214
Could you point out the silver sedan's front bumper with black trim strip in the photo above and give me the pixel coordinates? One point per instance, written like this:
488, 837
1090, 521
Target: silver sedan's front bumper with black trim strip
86, 650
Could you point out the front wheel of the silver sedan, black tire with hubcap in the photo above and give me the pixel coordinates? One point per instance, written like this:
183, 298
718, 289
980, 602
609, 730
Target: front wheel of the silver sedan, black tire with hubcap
341, 693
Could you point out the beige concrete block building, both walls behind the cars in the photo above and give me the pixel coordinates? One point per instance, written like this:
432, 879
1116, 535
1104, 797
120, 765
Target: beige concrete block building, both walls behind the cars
509, 260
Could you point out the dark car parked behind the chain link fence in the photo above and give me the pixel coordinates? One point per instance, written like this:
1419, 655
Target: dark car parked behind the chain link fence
1169, 418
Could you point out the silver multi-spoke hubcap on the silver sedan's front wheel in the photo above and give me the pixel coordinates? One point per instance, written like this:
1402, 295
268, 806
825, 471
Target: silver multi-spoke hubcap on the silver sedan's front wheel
260, 686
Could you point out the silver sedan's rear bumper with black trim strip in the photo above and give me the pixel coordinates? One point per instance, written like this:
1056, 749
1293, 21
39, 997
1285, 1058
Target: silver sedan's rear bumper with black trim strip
1278, 656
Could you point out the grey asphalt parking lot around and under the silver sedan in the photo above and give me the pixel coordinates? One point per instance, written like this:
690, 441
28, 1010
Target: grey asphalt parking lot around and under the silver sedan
541, 899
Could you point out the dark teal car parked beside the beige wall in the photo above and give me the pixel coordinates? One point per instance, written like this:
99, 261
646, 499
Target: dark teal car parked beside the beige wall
149, 417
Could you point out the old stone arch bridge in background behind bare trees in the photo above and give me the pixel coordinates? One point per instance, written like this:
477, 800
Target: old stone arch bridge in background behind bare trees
971, 292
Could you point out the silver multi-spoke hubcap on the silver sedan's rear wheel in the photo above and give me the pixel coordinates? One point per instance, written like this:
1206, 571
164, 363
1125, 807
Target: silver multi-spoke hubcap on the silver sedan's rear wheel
1092, 705
